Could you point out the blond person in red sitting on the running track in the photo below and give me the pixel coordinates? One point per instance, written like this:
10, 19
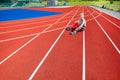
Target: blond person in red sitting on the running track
78, 25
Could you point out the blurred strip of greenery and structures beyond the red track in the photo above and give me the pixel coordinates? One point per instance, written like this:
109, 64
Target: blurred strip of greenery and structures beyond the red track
113, 5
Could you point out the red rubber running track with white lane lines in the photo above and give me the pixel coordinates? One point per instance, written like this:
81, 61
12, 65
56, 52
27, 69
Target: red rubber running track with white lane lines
41, 48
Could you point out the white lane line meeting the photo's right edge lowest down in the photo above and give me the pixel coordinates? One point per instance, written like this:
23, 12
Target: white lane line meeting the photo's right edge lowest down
117, 49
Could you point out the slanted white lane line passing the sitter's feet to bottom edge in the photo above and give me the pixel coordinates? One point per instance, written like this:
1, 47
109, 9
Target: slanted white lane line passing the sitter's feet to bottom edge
44, 58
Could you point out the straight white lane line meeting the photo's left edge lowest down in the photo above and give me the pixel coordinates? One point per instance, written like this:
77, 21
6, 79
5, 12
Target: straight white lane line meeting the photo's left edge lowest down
32, 39
